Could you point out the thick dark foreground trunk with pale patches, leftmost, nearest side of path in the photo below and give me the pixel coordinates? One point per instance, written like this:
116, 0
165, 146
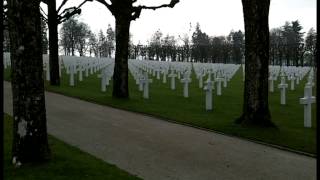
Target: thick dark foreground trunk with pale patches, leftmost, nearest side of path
30, 142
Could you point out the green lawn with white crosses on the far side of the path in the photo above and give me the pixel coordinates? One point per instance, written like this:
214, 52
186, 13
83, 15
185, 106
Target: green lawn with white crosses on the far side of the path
171, 105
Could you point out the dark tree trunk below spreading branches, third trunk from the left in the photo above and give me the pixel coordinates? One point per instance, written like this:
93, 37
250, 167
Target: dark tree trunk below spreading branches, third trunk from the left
120, 77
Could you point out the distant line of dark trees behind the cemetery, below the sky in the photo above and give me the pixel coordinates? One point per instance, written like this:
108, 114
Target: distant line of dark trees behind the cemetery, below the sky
288, 46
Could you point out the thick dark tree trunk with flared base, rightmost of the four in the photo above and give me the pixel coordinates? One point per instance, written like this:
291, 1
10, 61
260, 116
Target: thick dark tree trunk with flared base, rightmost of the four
255, 107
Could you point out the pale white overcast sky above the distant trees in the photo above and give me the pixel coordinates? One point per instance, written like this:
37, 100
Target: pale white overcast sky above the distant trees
216, 17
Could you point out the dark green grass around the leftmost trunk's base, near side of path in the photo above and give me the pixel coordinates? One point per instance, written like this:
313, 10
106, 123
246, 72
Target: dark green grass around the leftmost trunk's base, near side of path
67, 163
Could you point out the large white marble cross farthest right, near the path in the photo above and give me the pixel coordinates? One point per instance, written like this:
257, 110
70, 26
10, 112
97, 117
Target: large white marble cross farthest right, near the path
307, 100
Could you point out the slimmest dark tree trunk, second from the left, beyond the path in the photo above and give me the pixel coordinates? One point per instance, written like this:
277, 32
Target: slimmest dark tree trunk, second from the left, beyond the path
53, 43
